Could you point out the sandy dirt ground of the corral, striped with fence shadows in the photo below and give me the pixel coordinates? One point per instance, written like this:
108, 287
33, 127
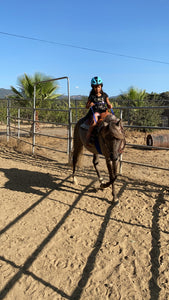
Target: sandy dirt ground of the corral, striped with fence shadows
61, 241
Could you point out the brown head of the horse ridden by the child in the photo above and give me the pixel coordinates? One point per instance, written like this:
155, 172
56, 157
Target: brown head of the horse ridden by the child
113, 137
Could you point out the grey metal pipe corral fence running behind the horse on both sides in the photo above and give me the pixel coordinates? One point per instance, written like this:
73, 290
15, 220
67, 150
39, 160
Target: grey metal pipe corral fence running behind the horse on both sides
15, 118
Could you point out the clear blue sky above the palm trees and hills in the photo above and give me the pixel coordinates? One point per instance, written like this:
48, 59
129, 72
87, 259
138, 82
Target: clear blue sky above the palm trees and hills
124, 29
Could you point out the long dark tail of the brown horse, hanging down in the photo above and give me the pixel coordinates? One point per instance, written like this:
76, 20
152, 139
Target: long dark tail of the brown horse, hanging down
77, 147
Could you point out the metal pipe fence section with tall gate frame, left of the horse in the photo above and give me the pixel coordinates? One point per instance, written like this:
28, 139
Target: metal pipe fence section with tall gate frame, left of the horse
14, 120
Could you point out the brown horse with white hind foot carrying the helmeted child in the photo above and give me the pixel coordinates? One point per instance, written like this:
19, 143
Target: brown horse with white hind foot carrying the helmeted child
109, 141
